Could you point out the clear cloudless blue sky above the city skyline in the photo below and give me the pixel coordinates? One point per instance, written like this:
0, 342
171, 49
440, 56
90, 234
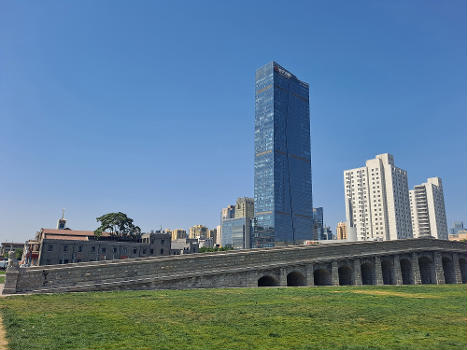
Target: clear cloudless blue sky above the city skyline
147, 107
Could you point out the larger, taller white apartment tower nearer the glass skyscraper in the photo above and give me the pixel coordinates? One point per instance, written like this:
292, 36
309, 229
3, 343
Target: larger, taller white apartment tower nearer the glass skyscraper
377, 203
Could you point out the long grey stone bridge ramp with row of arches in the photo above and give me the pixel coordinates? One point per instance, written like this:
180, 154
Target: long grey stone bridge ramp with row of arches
411, 261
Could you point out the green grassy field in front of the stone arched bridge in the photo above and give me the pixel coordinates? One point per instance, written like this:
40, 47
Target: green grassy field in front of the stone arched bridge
406, 317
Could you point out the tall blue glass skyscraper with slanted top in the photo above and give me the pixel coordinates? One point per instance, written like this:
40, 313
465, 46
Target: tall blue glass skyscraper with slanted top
283, 195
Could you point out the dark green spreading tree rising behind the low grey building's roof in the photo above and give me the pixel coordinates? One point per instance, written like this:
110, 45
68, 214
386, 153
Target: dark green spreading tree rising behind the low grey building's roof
117, 224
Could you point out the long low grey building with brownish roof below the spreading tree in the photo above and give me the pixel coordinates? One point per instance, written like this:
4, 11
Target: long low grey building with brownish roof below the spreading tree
52, 246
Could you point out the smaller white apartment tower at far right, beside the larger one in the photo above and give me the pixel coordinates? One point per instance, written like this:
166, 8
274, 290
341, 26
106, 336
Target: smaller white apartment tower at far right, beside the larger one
427, 209
